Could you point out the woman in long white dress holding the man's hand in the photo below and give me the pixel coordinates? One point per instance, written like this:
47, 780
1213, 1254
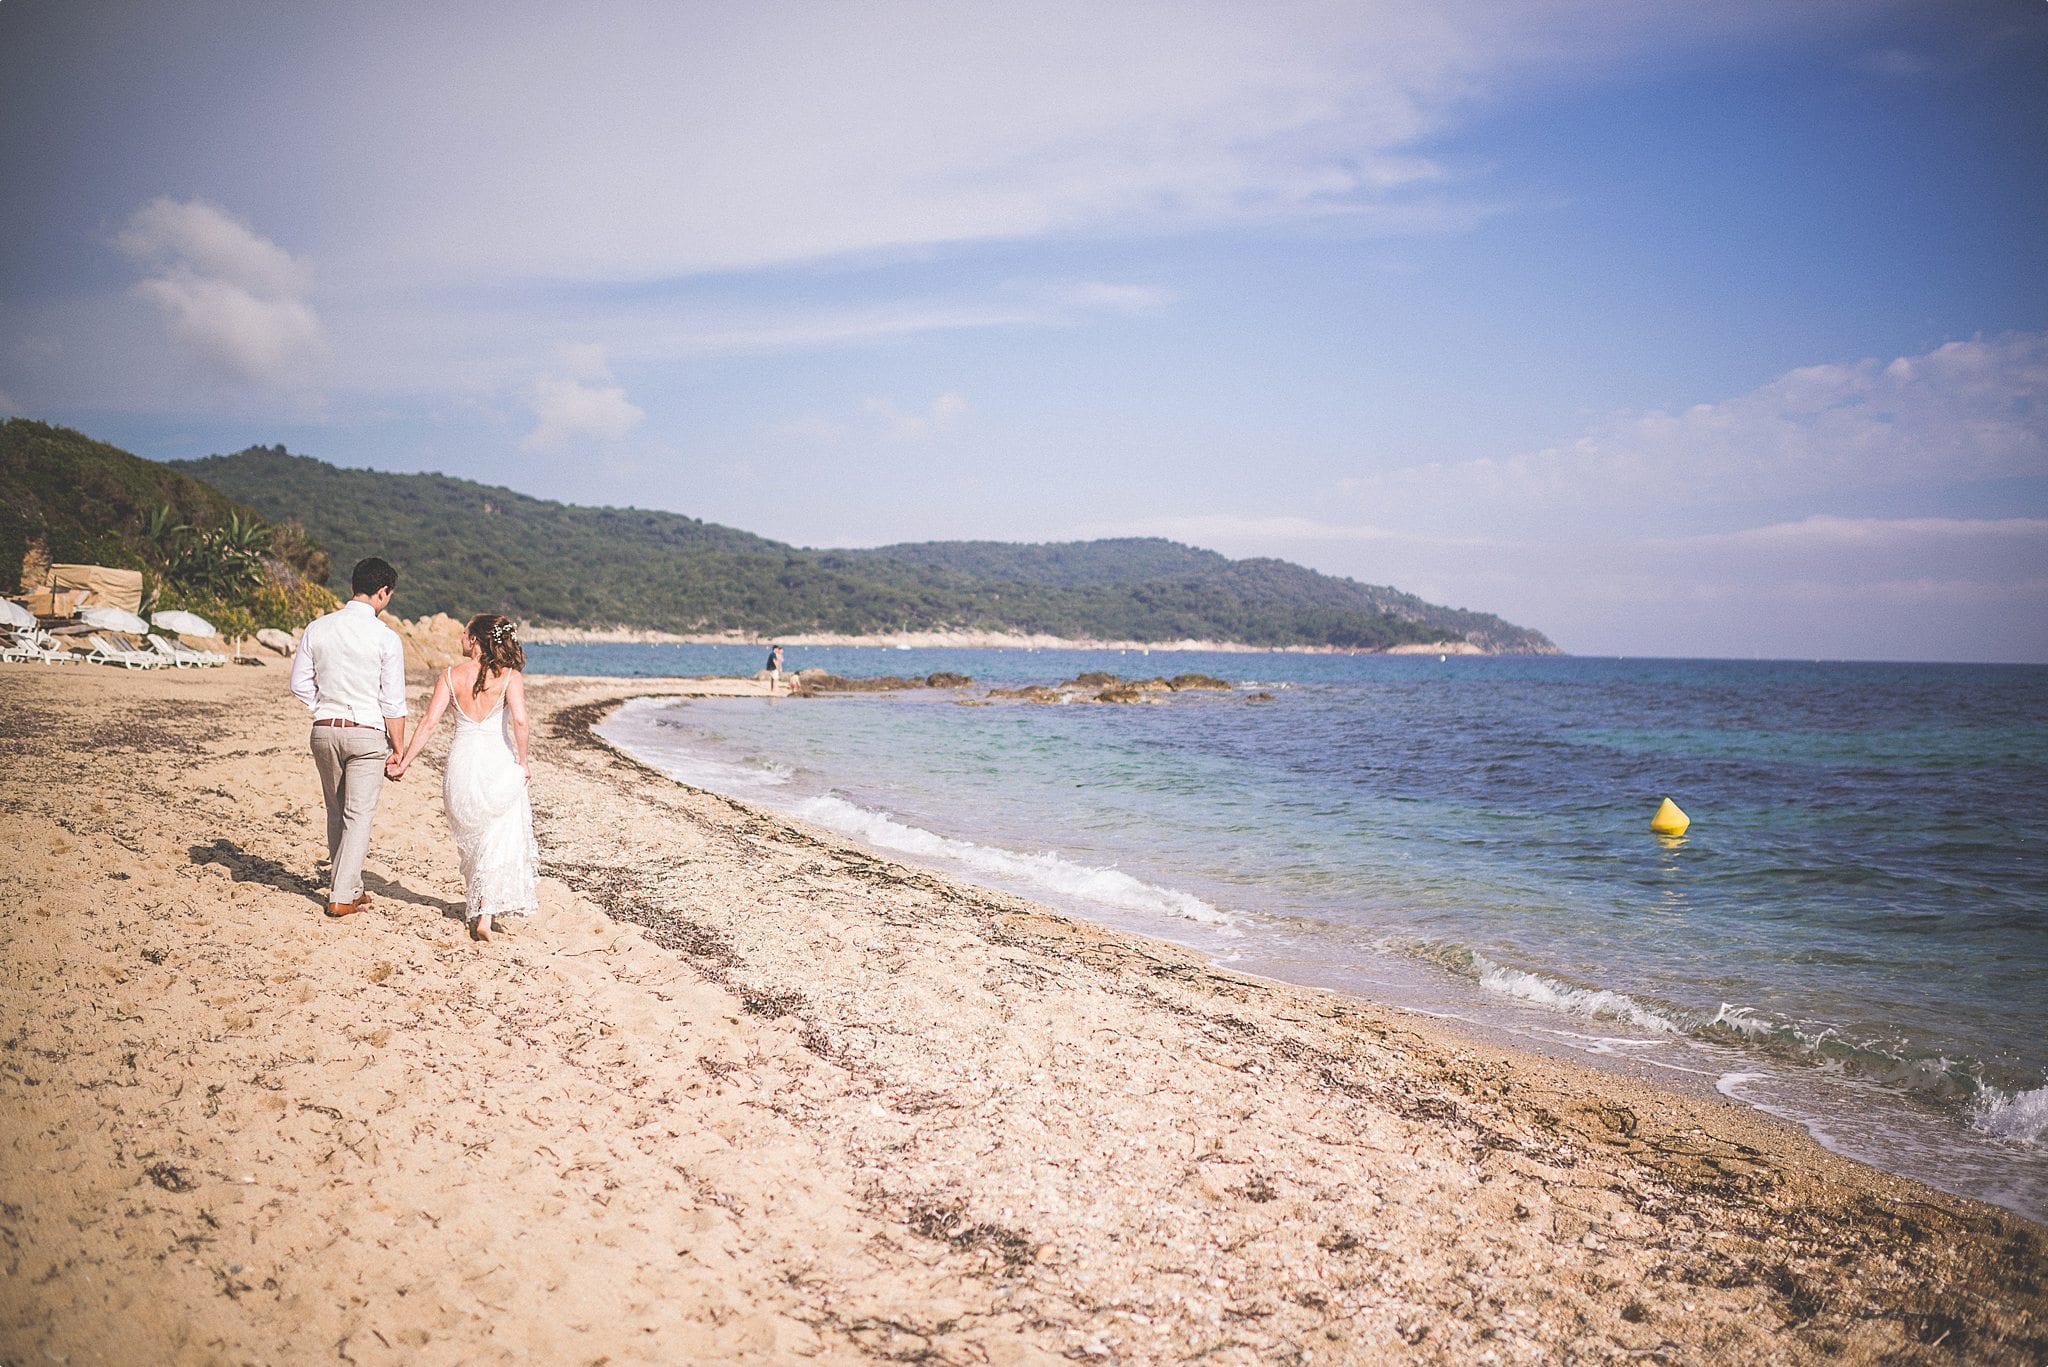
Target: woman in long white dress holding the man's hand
484, 786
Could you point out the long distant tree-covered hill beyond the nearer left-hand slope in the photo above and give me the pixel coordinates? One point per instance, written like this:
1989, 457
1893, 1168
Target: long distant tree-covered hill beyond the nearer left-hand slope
466, 548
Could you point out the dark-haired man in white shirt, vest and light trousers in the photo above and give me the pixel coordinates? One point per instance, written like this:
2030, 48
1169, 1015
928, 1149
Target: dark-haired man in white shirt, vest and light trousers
351, 671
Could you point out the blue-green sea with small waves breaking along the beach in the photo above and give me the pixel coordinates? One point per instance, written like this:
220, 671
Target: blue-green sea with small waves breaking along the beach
1852, 934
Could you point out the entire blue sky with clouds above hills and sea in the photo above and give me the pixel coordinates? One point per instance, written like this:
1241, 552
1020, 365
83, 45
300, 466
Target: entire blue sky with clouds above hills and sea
1664, 329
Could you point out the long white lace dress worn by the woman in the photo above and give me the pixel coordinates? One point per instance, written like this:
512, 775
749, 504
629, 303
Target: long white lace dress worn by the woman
490, 817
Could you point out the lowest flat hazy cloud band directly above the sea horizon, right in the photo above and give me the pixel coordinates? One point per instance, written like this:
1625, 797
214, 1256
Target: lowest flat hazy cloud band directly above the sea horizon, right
1820, 587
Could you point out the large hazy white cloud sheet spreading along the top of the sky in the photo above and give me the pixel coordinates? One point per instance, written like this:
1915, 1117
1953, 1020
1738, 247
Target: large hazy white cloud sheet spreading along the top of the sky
671, 140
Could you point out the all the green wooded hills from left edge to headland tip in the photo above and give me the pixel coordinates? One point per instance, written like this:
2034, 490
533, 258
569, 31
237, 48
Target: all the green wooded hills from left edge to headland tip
581, 573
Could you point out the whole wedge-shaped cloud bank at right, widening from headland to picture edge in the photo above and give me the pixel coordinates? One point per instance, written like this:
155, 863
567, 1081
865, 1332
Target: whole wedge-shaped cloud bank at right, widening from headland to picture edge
1586, 540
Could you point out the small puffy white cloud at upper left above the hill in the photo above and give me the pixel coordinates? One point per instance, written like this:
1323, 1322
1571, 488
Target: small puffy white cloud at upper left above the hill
232, 298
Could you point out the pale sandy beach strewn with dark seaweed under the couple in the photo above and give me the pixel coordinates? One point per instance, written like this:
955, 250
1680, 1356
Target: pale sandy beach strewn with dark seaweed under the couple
749, 1093
